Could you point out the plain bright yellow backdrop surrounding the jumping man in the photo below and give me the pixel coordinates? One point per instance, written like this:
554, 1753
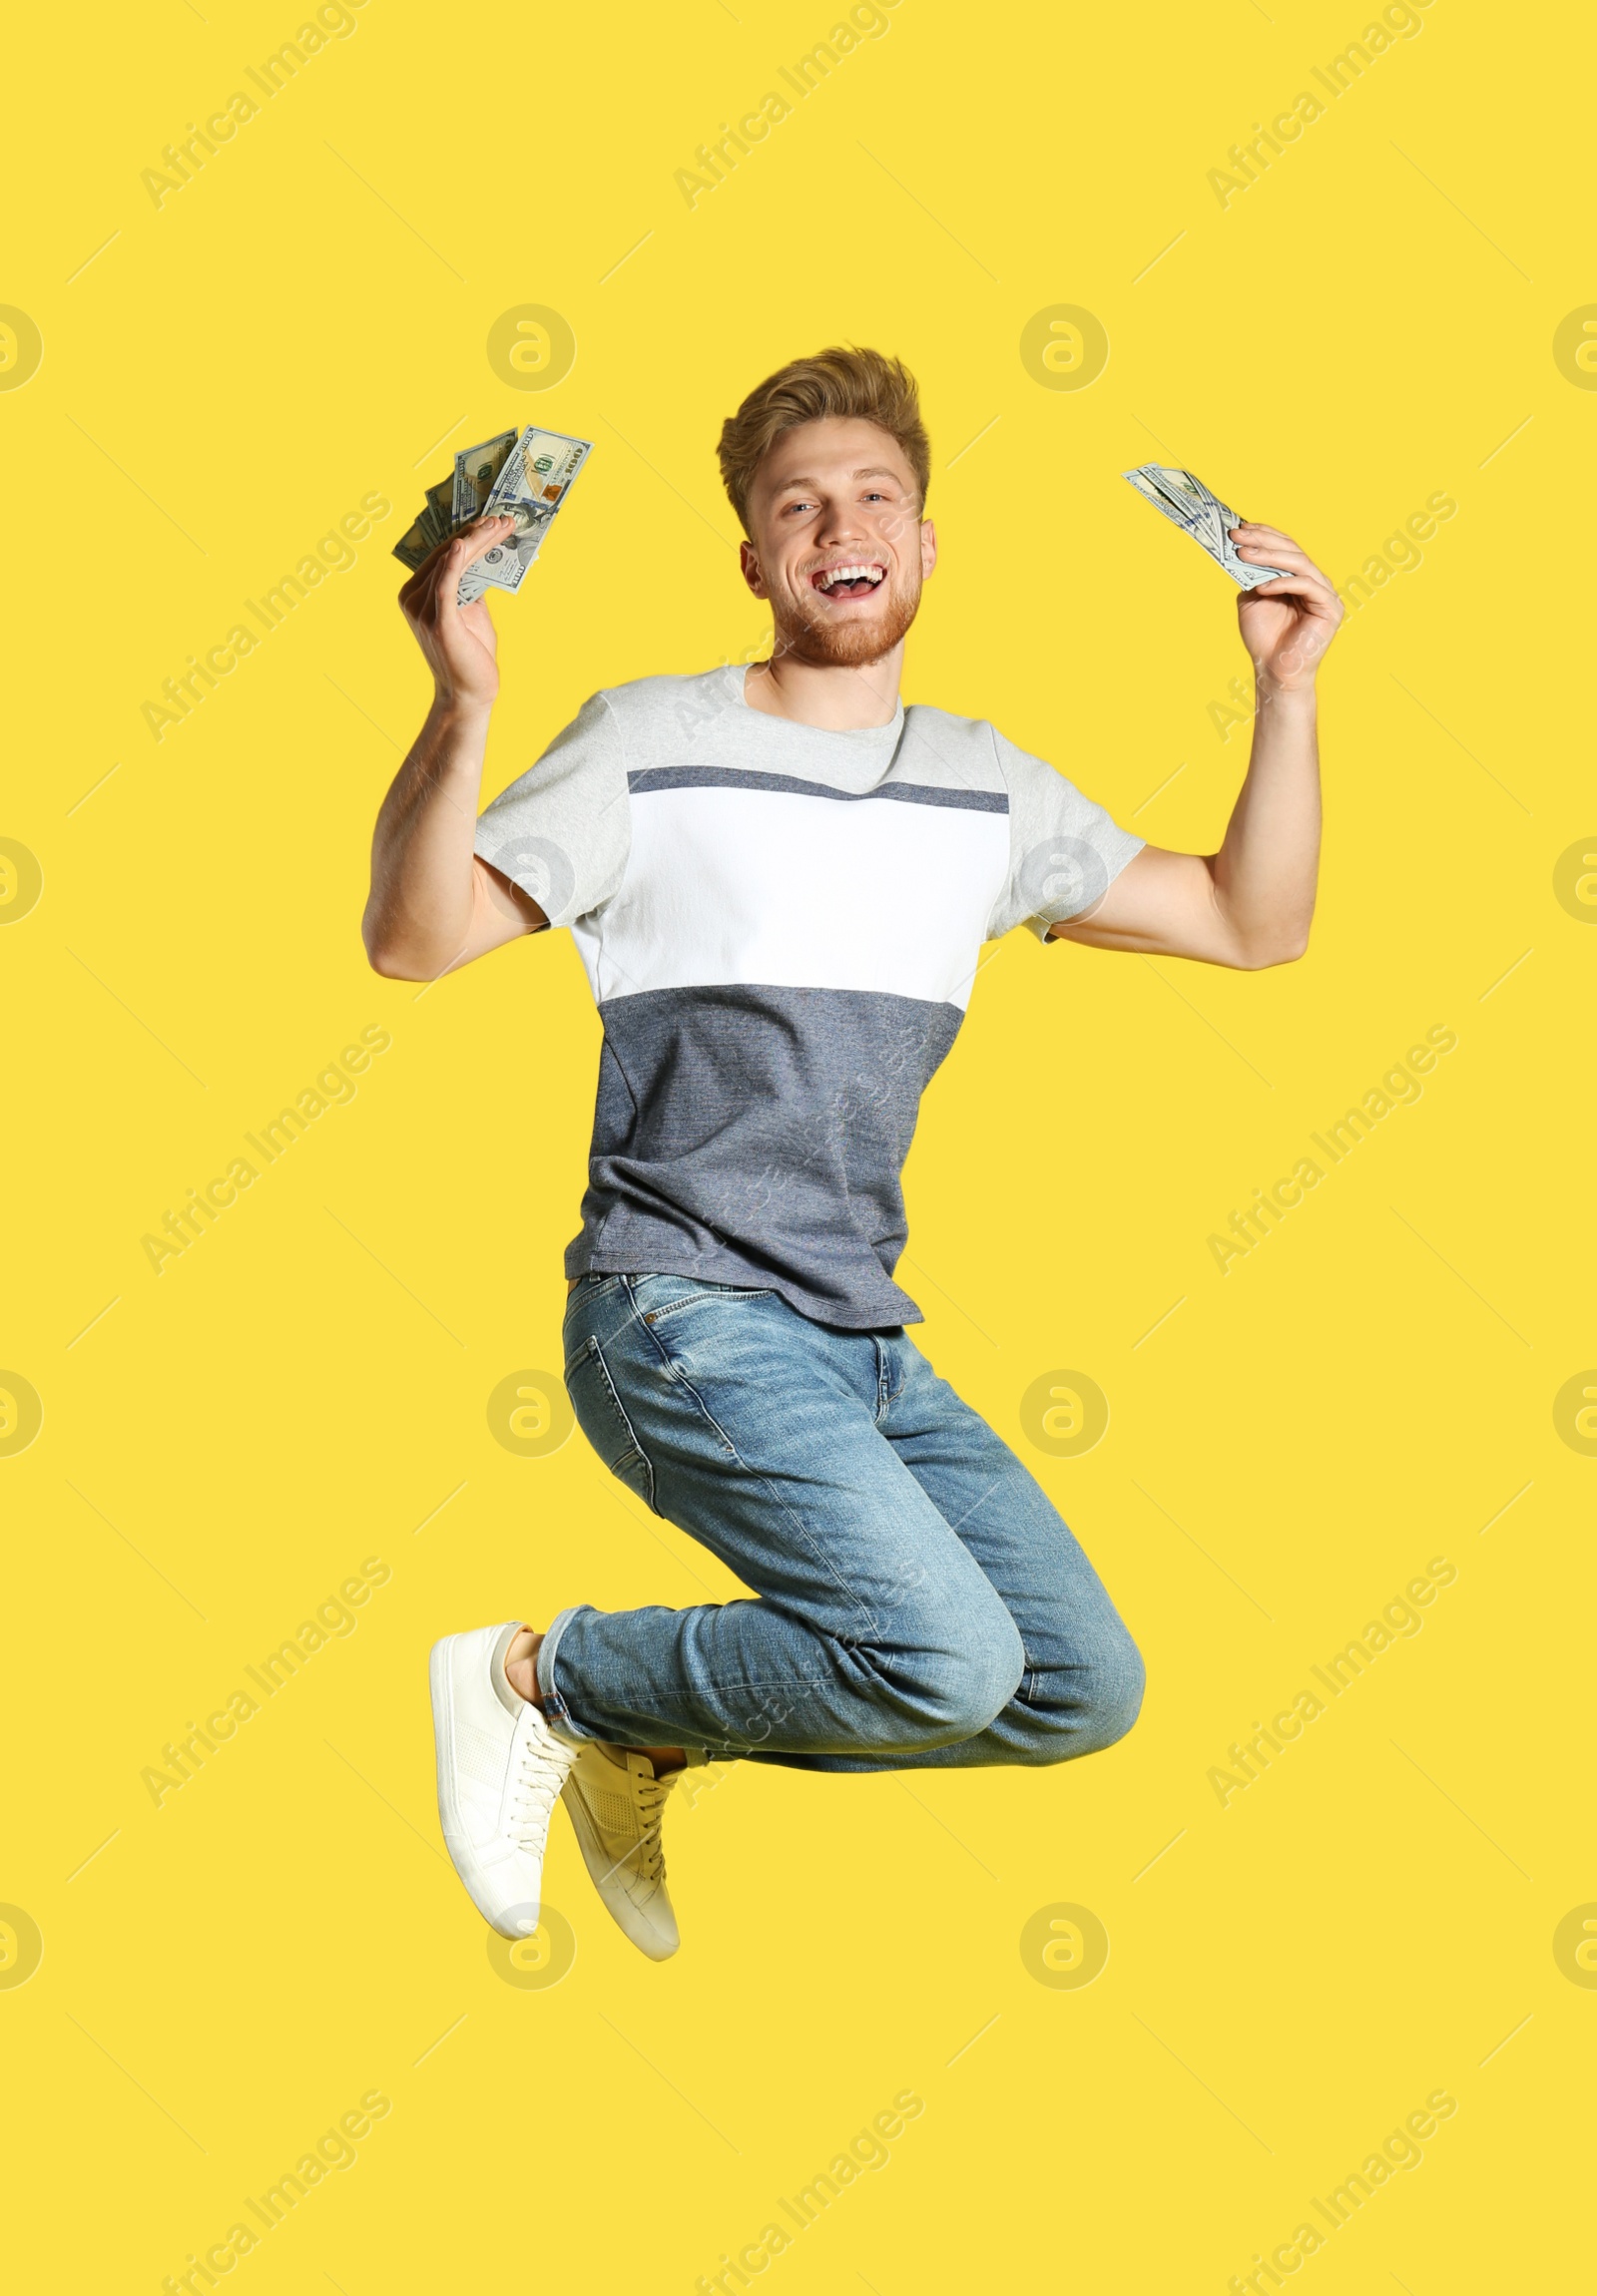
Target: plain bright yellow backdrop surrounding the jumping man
1375, 1388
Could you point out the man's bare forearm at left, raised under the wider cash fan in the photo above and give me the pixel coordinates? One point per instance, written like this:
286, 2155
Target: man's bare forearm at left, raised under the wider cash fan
424, 883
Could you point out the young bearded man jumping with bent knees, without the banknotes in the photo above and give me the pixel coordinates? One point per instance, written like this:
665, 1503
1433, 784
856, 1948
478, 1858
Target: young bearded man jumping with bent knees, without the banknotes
780, 883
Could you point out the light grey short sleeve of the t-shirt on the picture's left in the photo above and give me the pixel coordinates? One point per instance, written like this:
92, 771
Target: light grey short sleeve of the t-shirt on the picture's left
564, 830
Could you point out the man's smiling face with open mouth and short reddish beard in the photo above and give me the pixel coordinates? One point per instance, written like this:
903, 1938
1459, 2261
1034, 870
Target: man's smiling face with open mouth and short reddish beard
840, 545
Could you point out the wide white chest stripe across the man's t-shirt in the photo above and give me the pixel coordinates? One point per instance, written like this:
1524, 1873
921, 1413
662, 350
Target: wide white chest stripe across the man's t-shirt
762, 885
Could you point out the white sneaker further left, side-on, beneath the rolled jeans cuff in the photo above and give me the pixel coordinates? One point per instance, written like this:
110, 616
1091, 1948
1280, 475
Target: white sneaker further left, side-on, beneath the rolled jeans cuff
500, 1776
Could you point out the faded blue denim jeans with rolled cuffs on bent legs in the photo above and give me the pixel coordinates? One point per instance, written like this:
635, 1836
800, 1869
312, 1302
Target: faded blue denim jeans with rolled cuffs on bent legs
920, 1599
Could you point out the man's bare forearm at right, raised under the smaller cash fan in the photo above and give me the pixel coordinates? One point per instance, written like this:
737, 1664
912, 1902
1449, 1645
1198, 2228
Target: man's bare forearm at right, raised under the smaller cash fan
1270, 862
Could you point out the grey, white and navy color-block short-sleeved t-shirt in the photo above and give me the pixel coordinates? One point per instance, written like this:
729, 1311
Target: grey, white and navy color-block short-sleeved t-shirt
780, 929
